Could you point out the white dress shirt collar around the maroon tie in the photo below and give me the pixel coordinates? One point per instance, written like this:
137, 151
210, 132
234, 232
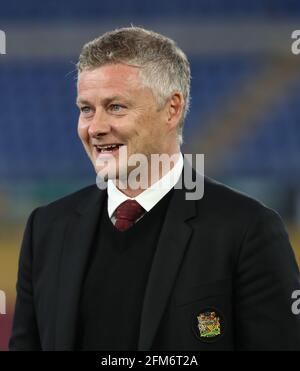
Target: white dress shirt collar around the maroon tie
150, 196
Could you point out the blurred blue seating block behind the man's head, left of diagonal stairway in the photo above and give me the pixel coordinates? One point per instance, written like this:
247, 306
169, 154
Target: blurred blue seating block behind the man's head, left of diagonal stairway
40, 115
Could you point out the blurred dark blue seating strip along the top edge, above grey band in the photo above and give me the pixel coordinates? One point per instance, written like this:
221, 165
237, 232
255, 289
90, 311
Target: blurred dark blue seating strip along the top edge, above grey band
133, 8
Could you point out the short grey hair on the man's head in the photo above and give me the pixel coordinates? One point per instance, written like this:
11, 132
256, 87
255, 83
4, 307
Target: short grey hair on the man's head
164, 66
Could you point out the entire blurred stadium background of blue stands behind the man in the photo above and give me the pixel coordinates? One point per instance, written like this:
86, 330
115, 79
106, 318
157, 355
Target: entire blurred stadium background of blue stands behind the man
245, 111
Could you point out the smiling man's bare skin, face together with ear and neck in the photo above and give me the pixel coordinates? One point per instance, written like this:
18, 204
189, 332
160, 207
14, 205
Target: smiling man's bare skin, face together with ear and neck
129, 116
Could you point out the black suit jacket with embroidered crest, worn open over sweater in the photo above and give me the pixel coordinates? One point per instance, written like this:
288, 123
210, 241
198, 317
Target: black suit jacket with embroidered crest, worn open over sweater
225, 254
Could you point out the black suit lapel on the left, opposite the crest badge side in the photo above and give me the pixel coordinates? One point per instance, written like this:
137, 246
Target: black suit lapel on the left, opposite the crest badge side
77, 243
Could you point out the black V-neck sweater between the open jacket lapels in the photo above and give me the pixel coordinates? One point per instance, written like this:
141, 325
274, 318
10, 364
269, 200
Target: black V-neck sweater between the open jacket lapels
115, 282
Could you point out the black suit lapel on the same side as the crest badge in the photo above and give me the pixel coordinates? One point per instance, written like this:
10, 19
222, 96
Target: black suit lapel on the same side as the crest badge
173, 241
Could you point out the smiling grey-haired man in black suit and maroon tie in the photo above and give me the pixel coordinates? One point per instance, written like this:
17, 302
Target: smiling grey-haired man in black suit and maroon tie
130, 268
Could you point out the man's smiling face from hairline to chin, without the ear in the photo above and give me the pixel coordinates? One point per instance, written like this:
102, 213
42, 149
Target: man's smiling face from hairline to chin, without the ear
116, 109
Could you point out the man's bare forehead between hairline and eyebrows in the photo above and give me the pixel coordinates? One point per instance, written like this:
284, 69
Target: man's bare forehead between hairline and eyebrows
110, 78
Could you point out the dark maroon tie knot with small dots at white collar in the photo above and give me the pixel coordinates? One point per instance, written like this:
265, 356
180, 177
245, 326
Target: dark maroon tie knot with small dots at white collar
127, 213
